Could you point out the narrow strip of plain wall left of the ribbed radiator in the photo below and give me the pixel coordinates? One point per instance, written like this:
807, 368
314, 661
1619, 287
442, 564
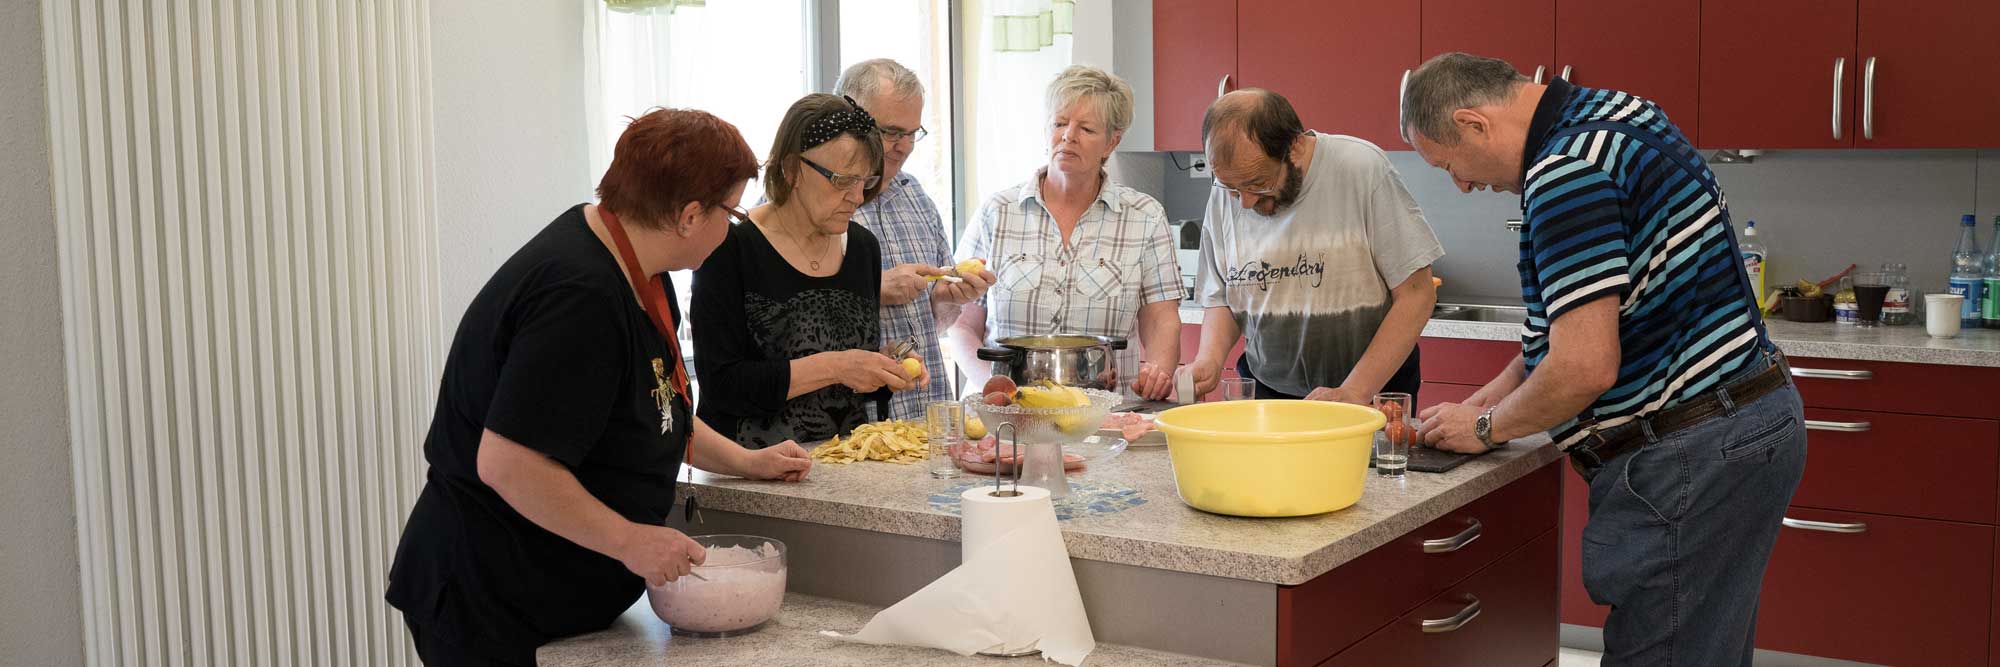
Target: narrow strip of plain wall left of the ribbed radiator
41, 618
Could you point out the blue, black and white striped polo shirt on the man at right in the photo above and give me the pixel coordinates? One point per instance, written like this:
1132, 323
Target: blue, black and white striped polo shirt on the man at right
1609, 215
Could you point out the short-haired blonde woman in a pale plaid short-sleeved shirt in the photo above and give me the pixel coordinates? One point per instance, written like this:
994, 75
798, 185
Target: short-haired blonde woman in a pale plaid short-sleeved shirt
1073, 251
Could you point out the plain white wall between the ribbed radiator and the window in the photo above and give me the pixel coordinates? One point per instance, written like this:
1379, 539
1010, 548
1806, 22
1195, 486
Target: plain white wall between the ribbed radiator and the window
513, 147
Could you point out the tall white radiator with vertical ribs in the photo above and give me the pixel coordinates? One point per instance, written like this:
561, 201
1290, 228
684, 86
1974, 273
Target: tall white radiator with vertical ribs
251, 319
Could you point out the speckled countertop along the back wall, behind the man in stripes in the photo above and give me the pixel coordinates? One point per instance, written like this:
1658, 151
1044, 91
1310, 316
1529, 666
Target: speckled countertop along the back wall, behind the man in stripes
1823, 340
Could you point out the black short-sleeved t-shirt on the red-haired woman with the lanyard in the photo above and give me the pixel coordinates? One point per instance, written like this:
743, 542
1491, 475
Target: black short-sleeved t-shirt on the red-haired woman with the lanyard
555, 354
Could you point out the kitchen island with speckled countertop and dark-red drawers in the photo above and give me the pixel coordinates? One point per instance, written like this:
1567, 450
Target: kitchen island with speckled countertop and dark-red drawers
1161, 576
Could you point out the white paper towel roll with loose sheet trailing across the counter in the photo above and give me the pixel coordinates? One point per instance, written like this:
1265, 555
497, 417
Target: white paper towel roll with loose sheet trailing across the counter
1013, 592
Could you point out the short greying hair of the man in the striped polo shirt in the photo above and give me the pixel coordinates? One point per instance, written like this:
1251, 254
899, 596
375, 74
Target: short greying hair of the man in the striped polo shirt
1453, 83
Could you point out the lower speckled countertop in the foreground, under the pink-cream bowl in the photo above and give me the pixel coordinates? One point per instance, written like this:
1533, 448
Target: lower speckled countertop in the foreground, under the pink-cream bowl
639, 638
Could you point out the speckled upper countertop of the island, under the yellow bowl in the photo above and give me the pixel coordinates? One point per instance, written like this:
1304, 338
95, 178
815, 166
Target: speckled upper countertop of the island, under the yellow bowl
1163, 534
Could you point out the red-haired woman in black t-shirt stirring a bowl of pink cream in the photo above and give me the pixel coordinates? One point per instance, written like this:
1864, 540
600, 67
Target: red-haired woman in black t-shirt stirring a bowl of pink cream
565, 412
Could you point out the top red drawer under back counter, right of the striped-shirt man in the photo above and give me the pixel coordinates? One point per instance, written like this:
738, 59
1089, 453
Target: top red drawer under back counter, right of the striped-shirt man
1909, 388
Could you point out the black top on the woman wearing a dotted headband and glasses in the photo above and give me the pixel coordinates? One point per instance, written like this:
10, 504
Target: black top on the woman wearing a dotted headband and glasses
753, 315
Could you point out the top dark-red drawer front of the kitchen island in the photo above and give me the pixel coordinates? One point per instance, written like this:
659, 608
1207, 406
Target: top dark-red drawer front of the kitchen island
1339, 608
